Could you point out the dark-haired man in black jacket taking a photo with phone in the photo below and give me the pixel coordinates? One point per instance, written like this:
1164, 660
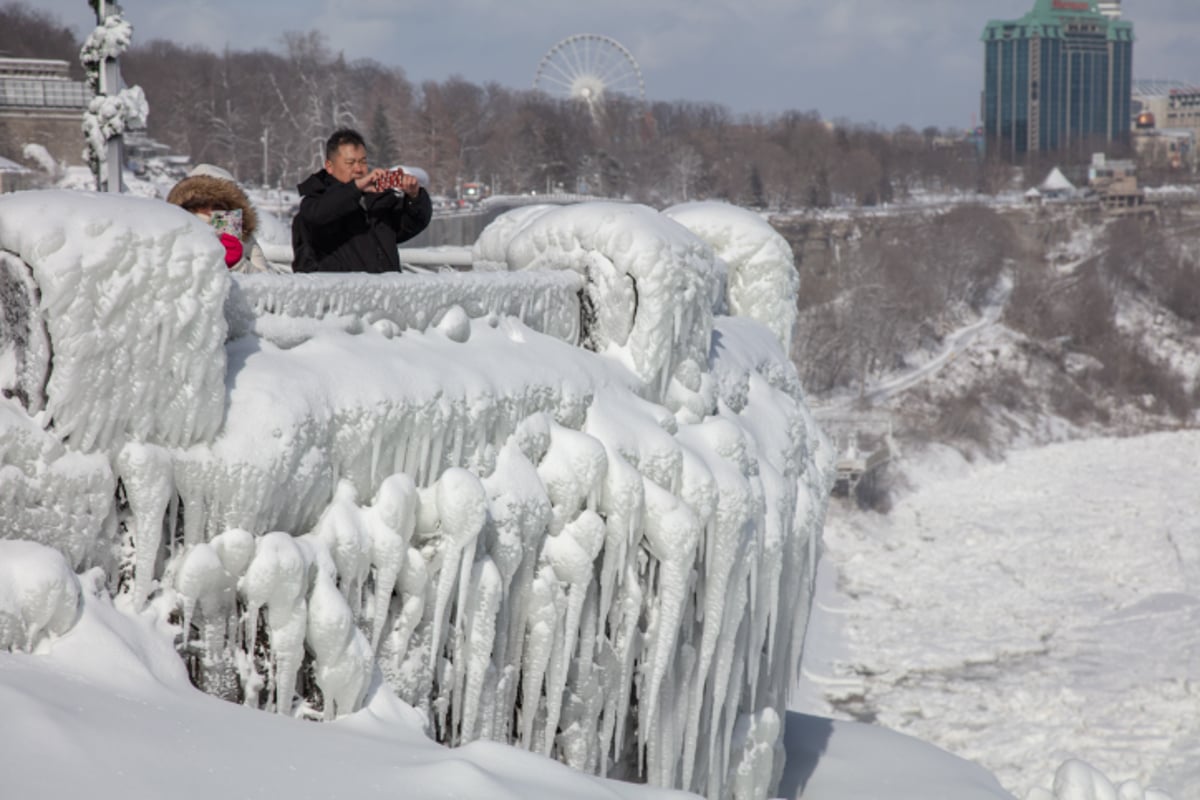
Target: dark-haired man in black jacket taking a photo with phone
346, 224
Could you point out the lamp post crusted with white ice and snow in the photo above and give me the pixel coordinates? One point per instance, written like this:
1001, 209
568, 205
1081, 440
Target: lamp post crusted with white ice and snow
113, 110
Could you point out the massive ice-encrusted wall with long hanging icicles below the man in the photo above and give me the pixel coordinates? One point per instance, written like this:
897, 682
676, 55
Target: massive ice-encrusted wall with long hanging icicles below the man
605, 556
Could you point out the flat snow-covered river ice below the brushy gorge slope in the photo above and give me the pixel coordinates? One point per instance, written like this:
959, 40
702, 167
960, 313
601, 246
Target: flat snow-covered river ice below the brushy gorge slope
1023, 613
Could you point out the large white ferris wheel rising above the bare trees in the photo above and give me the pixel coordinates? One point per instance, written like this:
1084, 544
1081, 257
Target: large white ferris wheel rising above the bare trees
589, 67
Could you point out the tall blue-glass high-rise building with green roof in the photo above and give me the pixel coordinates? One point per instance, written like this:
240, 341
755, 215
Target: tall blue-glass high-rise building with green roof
1059, 76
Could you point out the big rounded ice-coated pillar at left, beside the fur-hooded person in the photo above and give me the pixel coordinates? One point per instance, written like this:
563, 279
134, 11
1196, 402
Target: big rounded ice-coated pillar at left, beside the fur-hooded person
134, 310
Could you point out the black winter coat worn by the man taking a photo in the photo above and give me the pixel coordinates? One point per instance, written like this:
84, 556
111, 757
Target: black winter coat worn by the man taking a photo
341, 228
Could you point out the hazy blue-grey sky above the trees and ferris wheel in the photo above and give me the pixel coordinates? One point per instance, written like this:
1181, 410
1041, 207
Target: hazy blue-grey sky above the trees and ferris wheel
886, 62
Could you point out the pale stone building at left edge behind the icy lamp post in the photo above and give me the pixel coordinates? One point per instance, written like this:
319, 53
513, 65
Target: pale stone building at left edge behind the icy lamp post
41, 104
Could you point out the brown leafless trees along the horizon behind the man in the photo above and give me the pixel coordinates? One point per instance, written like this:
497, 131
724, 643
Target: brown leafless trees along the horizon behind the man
265, 115
